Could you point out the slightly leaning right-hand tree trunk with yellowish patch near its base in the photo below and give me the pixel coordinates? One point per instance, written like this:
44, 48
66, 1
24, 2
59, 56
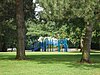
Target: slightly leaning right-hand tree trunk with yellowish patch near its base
87, 44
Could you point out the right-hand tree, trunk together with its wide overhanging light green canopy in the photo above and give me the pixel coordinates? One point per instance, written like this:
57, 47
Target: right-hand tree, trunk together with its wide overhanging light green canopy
64, 9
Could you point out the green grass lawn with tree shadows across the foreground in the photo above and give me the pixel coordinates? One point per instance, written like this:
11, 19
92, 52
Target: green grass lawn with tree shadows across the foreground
48, 64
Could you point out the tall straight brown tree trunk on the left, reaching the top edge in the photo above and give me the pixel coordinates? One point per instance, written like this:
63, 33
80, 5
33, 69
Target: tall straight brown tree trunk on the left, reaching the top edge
20, 30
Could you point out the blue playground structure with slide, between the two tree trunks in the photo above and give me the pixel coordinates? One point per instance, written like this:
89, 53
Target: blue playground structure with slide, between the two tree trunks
50, 45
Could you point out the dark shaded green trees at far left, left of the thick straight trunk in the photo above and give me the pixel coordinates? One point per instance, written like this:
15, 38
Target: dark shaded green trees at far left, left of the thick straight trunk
7, 13
